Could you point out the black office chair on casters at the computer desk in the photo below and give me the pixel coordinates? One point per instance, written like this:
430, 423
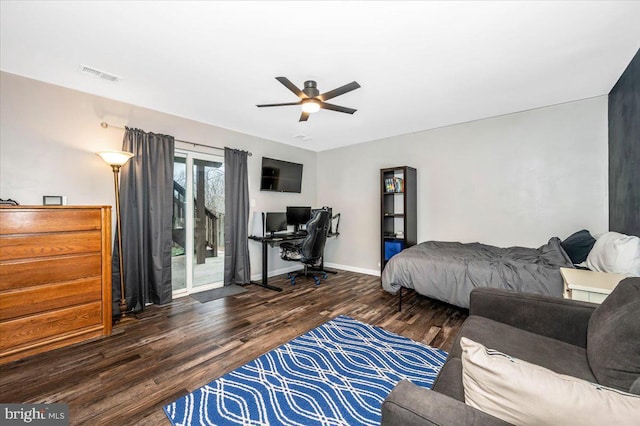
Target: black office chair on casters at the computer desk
310, 250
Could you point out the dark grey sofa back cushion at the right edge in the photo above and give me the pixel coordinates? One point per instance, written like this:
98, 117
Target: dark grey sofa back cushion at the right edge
613, 336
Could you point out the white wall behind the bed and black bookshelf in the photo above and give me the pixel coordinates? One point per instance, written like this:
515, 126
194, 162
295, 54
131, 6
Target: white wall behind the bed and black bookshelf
517, 179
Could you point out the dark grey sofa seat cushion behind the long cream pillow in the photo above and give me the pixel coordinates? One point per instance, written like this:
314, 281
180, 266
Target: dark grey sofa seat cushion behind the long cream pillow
558, 356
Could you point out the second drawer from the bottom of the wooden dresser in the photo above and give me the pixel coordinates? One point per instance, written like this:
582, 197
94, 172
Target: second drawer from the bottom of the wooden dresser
49, 297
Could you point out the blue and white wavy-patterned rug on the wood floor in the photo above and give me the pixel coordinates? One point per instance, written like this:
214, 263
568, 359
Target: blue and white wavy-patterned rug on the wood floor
336, 374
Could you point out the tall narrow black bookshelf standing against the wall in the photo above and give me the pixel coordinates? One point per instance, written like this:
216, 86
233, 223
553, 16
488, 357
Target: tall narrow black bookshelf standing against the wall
398, 211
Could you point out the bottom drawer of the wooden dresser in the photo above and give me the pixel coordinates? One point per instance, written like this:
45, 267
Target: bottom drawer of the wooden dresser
34, 329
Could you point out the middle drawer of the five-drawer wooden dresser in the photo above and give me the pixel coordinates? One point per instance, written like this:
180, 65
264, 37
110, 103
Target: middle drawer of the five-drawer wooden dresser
23, 273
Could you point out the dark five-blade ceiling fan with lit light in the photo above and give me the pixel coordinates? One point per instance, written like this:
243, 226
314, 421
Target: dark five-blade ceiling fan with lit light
311, 100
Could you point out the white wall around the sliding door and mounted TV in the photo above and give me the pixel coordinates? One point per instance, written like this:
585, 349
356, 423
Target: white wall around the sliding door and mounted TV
49, 136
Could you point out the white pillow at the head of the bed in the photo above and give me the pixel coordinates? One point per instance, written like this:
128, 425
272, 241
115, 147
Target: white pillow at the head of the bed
615, 252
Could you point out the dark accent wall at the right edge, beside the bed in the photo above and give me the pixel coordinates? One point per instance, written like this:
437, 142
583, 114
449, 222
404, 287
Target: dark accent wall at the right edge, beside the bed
624, 151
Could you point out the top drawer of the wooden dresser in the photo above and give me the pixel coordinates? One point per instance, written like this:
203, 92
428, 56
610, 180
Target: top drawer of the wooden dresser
31, 221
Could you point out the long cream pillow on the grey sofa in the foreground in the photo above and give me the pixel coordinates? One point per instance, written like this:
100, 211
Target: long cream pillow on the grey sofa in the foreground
526, 394
